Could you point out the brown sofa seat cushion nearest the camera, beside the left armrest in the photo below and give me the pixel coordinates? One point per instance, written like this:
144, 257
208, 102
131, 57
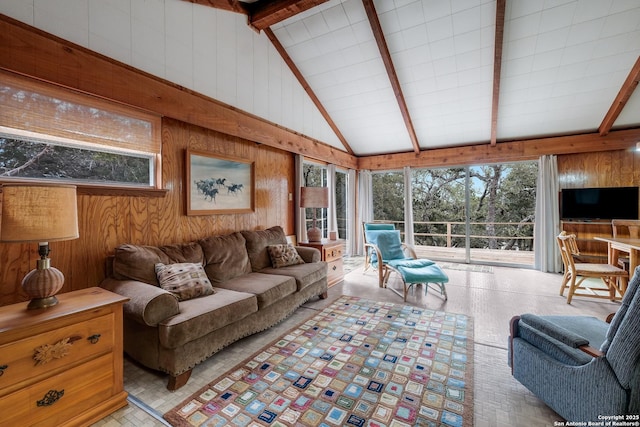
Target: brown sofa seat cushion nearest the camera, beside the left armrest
201, 316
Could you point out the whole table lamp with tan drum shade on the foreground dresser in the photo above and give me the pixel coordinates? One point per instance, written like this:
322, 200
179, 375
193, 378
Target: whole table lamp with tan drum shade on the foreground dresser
40, 213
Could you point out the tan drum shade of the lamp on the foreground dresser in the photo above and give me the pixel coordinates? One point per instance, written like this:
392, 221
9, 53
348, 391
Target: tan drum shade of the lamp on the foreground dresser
38, 213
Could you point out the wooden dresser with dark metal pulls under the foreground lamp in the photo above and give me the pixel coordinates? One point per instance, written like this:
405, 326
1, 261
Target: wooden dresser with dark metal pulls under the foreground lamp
62, 366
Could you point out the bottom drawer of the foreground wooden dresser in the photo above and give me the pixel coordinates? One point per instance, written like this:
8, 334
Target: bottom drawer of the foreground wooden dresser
61, 397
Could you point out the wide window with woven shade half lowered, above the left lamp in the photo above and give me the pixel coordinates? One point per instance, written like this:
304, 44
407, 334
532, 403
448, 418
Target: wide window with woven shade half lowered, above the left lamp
51, 133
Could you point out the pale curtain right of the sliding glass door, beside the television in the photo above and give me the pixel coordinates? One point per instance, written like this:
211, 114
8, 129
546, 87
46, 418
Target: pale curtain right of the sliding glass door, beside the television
547, 223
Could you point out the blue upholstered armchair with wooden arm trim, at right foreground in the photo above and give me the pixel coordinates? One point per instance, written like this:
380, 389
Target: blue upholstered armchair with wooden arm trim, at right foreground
582, 367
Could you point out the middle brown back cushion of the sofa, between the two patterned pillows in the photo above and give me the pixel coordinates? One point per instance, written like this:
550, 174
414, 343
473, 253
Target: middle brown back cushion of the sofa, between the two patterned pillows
225, 257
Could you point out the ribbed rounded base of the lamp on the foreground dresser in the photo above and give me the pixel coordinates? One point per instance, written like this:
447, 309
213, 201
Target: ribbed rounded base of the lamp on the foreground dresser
41, 285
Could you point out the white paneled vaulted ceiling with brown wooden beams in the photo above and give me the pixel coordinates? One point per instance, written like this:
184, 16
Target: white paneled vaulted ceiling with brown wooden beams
393, 76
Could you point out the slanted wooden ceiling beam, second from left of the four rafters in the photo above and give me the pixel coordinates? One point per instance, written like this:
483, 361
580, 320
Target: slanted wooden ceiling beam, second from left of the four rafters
391, 71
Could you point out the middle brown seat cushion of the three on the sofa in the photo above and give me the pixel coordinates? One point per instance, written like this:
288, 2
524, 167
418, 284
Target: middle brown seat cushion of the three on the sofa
268, 288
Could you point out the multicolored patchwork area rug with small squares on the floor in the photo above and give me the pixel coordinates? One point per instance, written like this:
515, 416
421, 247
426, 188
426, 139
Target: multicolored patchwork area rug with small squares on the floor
355, 363
